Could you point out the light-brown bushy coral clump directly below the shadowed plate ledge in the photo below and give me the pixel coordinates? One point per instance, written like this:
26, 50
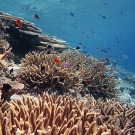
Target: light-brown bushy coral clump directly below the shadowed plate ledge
52, 76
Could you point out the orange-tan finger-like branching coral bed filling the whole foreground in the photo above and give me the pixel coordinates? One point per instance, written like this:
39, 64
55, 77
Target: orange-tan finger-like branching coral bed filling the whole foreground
49, 115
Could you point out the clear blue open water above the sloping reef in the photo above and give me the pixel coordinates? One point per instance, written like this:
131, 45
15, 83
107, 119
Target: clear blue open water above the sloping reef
97, 24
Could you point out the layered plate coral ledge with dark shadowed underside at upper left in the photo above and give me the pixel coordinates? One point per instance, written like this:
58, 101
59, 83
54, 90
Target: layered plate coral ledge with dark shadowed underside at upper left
28, 38
